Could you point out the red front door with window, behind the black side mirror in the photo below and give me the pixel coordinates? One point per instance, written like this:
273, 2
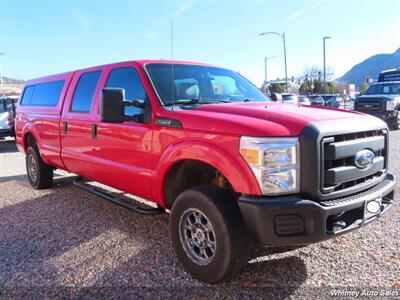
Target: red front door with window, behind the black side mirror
122, 152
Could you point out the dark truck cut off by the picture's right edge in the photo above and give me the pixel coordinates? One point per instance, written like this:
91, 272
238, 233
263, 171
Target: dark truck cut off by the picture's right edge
382, 99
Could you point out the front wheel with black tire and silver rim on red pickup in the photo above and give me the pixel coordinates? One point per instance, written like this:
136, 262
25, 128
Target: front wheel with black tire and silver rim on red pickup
208, 234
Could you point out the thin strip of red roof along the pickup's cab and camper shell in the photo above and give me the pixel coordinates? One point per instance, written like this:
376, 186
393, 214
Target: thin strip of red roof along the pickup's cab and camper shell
142, 62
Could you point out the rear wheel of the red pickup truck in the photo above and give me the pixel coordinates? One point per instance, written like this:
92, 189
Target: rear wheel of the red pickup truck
40, 175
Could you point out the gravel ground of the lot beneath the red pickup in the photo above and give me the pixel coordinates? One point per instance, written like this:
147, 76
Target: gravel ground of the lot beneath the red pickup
64, 242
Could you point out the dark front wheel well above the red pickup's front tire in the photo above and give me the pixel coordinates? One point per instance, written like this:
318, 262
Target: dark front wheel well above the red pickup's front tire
190, 173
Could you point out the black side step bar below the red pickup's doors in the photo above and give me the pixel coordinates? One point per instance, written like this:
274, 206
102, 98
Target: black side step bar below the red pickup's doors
129, 204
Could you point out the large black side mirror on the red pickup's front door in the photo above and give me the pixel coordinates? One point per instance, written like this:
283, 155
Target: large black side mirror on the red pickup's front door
113, 103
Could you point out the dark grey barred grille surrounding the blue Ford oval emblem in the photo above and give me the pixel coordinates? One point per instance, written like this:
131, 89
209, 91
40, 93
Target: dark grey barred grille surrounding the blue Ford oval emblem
338, 168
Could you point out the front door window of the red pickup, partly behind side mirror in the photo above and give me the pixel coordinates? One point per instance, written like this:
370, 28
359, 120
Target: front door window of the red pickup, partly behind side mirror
128, 79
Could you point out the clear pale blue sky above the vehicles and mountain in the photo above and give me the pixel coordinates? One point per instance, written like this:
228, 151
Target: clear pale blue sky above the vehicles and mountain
44, 37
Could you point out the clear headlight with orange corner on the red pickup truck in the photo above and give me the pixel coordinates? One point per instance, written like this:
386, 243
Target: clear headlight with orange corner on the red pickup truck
274, 162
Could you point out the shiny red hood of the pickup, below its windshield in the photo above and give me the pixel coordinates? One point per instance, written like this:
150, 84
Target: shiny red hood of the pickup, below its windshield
259, 118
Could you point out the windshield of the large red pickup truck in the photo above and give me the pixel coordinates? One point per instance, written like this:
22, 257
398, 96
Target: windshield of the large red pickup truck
206, 83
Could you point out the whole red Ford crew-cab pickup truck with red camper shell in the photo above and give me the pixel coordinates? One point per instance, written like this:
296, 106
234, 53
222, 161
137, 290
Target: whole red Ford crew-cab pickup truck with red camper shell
228, 164
